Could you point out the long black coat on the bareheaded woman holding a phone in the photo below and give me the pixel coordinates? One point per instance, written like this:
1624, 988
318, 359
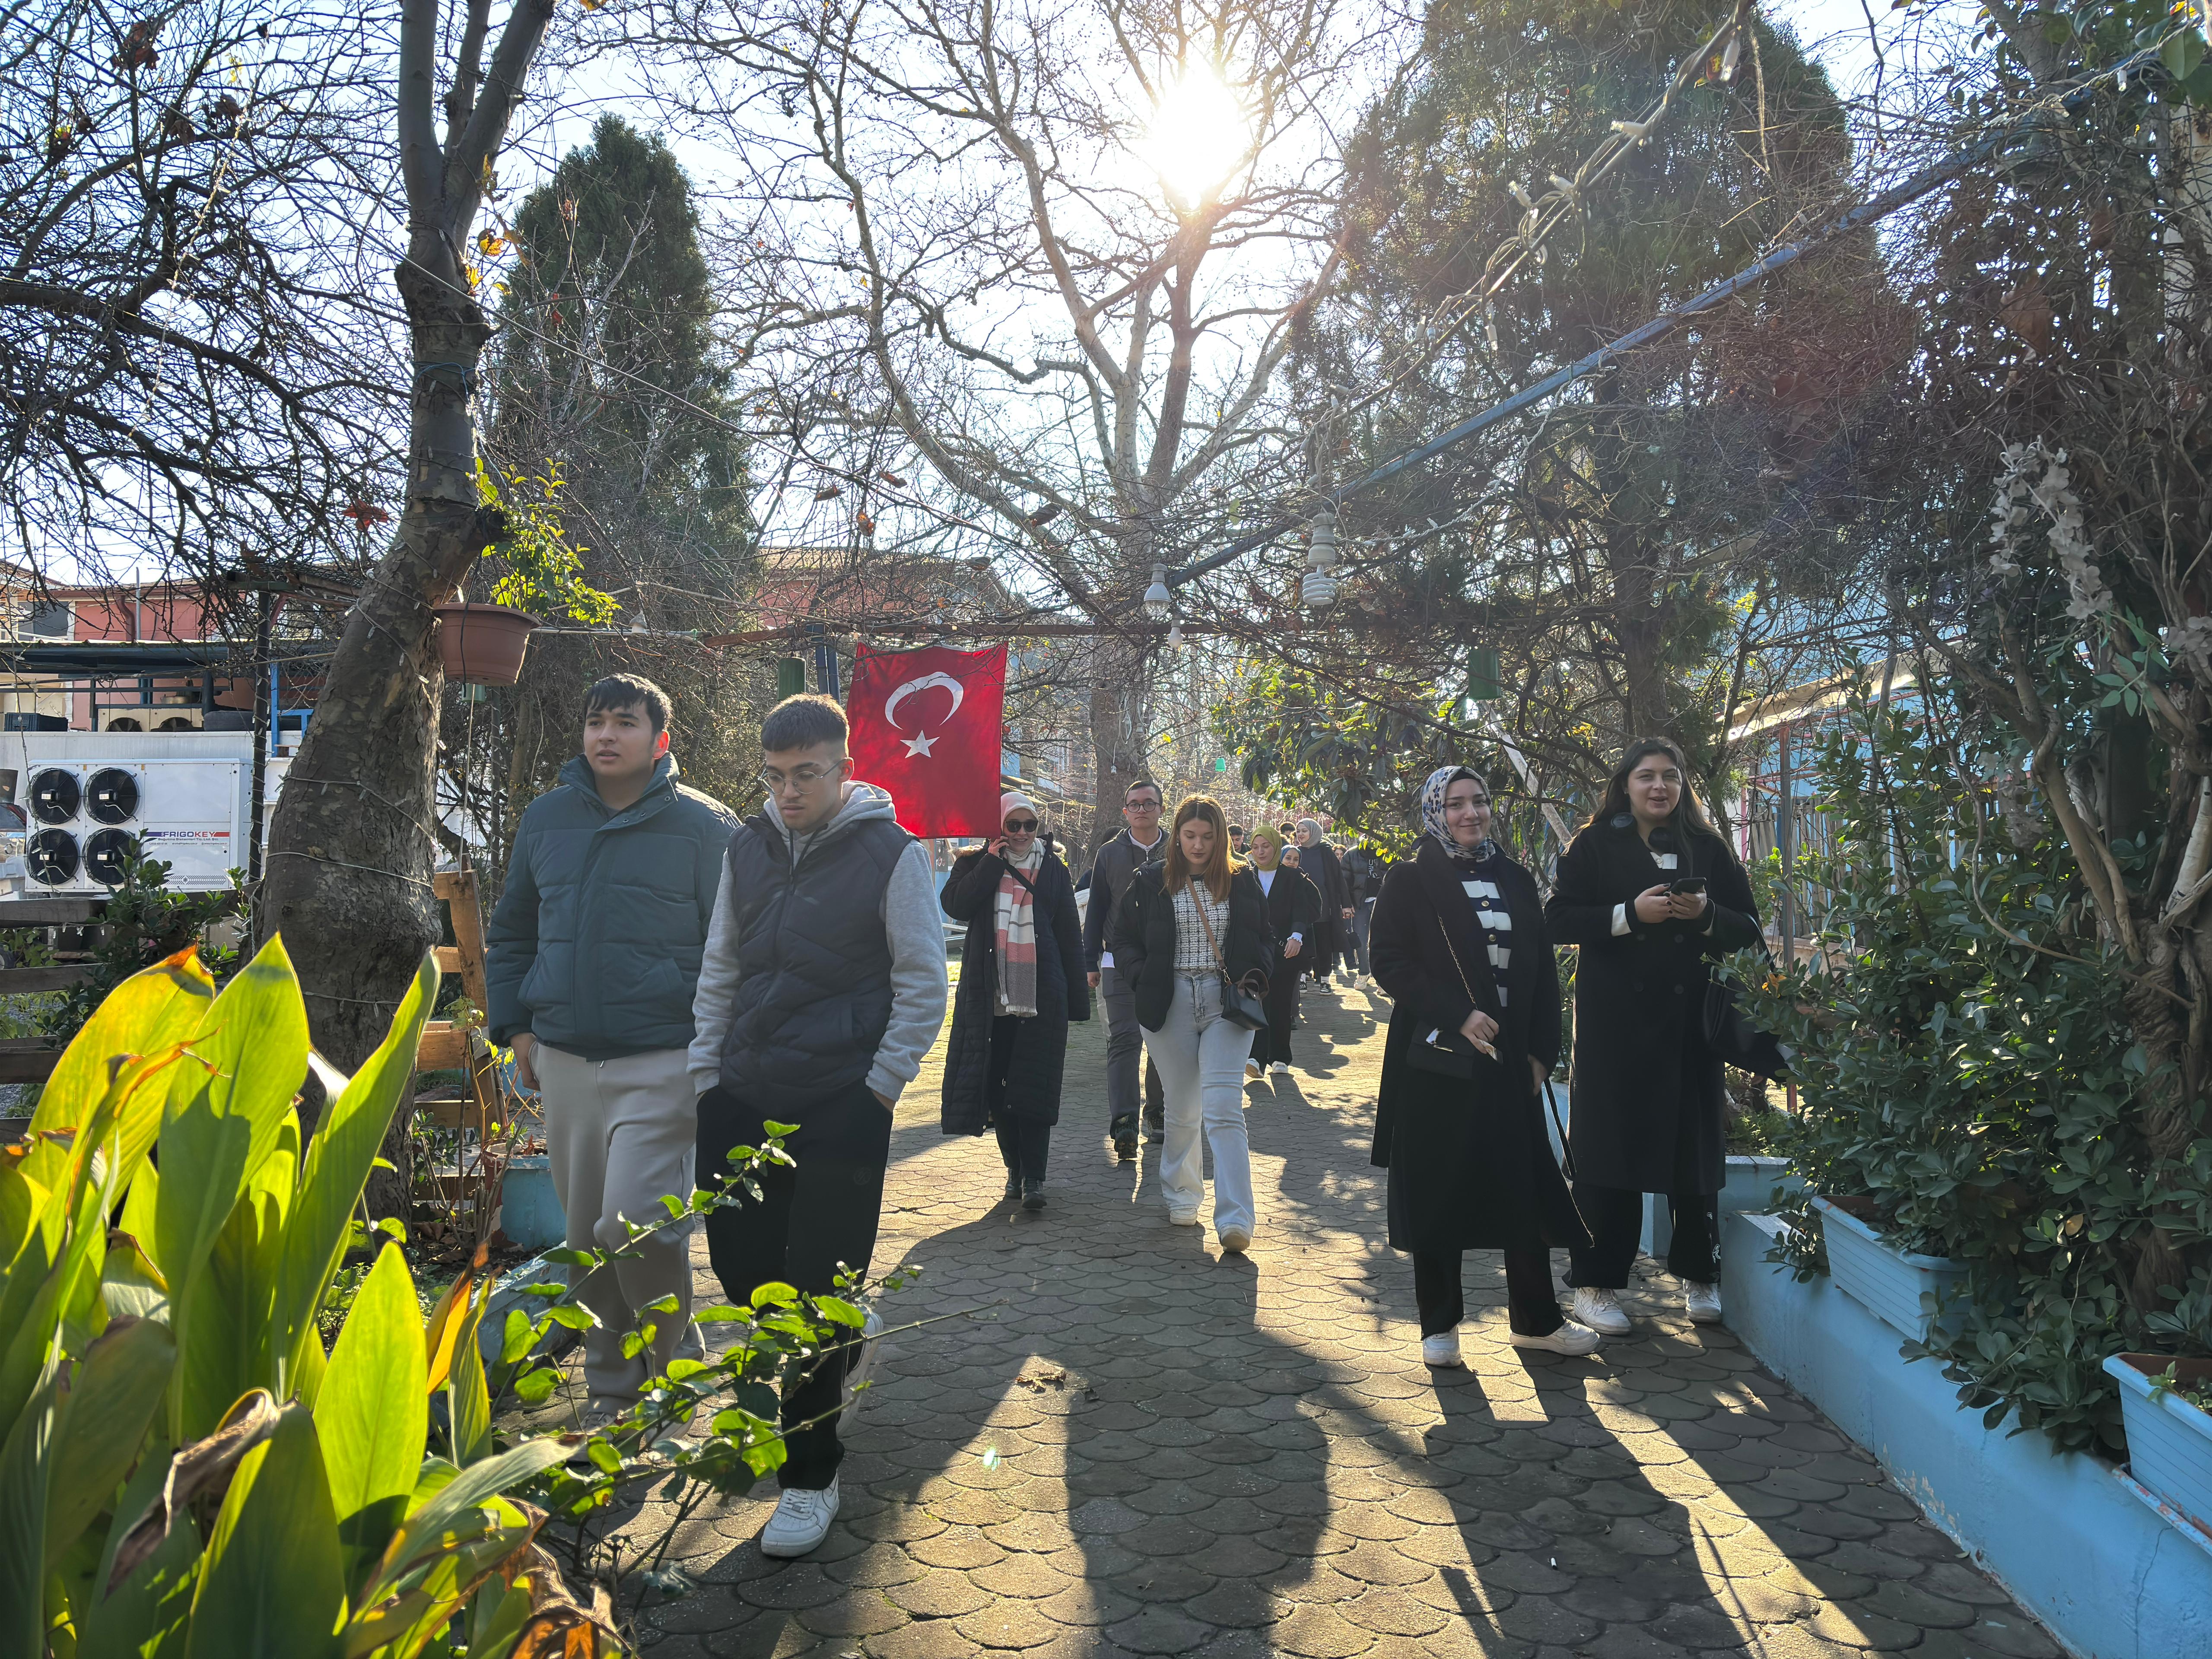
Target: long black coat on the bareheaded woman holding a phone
1647, 1092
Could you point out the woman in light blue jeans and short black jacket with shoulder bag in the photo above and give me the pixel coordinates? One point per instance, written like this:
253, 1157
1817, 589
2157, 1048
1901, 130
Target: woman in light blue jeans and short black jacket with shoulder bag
1191, 926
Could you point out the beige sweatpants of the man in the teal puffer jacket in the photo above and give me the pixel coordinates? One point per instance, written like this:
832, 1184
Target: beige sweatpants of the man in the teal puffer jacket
623, 1134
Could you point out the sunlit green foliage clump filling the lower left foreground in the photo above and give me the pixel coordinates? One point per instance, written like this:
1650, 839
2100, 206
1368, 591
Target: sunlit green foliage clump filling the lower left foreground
187, 1468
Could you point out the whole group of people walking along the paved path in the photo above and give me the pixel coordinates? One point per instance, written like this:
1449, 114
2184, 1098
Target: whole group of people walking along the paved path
674, 981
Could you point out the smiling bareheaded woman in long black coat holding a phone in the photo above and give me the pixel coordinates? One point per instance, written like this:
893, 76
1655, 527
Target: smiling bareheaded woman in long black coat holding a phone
1653, 897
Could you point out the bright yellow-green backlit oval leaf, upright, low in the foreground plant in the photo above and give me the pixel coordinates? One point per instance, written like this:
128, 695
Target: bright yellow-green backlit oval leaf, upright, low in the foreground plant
373, 1412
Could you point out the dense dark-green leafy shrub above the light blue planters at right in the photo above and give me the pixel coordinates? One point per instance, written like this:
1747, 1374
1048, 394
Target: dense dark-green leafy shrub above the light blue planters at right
1972, 1074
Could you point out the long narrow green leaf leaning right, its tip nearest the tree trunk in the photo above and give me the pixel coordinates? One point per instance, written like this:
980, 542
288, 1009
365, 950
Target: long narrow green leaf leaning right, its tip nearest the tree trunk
340, 1165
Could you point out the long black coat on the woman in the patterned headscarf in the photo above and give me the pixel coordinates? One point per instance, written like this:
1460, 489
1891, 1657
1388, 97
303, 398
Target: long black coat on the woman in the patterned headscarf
1470, 1162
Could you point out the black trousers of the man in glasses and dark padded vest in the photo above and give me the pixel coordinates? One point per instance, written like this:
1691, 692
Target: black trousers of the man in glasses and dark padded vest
806, 1224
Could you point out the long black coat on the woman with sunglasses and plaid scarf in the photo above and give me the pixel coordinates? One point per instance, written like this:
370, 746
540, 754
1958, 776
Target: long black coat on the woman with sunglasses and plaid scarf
1041, 1041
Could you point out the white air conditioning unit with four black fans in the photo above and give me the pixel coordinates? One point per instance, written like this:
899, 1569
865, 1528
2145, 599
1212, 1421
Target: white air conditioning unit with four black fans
94, 804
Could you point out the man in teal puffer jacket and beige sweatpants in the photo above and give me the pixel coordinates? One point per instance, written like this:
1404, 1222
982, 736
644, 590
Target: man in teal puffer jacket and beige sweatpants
589, 970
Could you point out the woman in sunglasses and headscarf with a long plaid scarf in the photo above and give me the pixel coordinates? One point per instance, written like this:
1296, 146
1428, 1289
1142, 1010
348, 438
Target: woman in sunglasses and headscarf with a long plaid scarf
1021, 983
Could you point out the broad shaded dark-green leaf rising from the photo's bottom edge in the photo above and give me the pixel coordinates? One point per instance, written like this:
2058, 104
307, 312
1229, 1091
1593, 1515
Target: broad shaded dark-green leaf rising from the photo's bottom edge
273, 1587
